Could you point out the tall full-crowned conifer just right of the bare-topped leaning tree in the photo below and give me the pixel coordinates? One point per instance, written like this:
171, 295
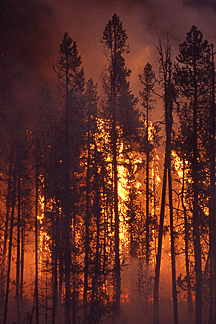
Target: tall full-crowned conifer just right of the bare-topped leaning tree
192, 78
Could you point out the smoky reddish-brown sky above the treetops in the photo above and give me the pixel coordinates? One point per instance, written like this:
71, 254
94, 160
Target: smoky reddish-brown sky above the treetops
31, 31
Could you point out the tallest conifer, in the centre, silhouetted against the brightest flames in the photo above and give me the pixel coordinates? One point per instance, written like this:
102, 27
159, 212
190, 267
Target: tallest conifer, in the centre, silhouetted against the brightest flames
121, 113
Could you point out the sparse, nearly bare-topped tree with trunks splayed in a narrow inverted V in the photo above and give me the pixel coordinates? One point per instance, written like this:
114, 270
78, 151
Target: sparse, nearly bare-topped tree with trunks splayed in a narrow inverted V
166, 70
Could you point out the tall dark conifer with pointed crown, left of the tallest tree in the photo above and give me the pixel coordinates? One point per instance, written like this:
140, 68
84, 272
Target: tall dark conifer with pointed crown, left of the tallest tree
71, 79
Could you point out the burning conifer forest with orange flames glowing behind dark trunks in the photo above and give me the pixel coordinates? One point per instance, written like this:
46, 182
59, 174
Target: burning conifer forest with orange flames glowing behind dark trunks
107, 214
